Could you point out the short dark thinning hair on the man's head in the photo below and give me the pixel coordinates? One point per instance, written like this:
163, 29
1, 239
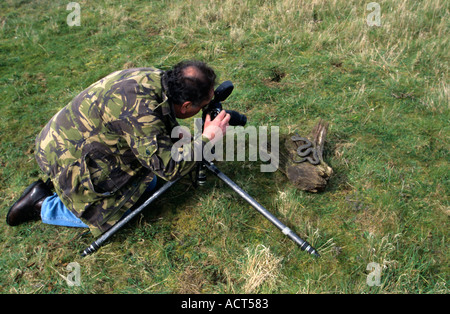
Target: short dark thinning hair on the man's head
195, 88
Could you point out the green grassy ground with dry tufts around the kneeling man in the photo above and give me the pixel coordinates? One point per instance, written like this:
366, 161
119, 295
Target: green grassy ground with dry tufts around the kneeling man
383, 89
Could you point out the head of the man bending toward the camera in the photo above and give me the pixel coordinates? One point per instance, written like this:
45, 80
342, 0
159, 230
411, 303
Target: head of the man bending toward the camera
190, 87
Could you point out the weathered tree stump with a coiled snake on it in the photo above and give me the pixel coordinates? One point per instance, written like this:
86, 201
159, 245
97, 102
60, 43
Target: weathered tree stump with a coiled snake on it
304, 168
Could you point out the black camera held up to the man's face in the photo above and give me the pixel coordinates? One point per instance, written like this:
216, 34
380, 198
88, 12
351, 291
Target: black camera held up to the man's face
215, 106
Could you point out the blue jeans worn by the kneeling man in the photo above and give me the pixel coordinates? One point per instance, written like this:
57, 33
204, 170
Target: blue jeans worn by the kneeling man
54, 212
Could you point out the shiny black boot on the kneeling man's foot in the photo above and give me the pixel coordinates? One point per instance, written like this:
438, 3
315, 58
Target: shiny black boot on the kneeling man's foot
28, 207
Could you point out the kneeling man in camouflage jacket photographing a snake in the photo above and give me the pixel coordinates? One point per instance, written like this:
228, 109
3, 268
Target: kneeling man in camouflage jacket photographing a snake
105, 148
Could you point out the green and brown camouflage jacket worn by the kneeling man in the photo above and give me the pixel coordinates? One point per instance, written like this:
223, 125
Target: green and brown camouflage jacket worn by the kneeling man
104, 148
